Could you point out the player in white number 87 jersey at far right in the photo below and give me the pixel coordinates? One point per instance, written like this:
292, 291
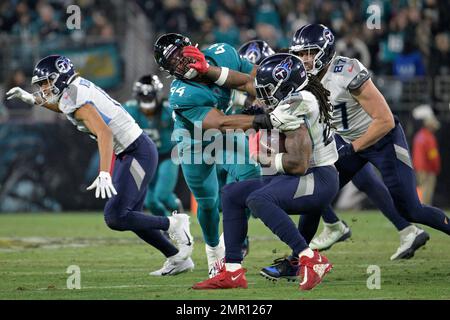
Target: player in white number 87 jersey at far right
367, 132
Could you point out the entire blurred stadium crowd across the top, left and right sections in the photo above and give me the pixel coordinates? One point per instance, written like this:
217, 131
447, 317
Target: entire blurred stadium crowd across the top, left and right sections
412, 41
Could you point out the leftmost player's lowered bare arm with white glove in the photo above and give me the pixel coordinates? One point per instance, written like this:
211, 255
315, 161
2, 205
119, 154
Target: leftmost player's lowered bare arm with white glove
94, 122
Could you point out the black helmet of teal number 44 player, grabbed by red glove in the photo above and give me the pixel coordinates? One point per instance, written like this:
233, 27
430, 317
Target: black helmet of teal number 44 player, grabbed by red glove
169, 54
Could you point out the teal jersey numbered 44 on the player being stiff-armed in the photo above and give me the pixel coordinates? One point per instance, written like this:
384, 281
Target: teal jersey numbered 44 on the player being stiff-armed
191, 101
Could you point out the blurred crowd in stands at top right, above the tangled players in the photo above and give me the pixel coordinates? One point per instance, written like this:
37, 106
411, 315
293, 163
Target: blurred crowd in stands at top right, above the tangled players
410, 30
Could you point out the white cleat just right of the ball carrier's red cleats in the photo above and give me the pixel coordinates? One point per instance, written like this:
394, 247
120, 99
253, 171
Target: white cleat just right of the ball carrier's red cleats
331, 233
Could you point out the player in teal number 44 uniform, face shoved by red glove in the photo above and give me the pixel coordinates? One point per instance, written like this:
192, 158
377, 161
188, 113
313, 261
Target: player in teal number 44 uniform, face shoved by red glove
199, 105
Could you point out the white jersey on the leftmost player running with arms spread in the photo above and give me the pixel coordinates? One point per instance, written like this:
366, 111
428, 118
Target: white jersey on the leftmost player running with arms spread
124, 128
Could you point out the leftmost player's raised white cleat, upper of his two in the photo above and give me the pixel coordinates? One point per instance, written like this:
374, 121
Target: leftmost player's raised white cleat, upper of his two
180, 233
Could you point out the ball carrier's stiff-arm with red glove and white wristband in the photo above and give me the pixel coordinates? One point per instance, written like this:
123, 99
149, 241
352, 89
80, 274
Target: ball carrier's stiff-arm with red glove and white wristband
221, 76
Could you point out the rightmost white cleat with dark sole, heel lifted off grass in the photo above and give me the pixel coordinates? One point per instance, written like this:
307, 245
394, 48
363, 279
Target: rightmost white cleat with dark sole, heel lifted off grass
411, 239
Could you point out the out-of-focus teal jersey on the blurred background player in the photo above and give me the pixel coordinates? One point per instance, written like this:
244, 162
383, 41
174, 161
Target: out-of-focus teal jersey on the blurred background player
159, 128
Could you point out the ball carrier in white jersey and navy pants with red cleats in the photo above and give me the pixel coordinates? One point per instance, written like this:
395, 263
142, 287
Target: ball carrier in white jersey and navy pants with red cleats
307, 180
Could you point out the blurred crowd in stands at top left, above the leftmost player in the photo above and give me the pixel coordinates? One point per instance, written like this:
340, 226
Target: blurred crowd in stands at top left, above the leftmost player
27, 25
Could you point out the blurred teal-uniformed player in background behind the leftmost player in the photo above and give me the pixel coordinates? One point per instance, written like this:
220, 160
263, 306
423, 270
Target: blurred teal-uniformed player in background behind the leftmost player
154, 116
